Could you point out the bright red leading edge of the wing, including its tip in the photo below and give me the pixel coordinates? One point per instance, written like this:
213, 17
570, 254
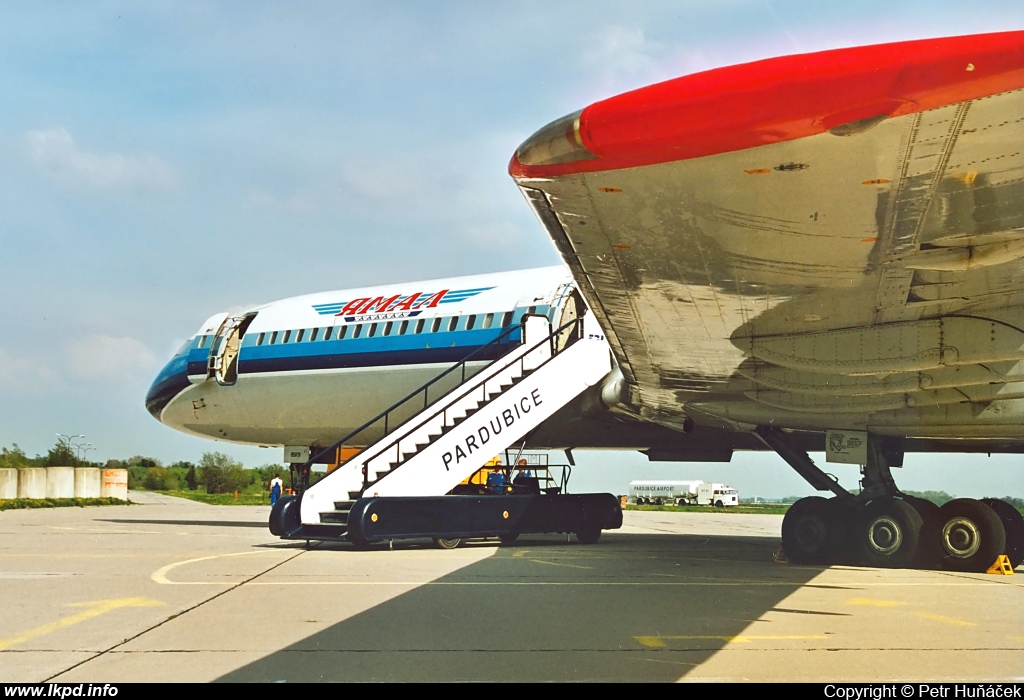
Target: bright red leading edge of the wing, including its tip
778, 100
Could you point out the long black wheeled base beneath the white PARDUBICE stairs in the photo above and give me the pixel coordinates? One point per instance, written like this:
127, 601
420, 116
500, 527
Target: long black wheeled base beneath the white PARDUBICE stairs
462, 517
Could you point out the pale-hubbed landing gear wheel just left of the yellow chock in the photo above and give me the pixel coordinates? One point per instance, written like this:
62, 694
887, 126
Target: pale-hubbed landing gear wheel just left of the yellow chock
971, 536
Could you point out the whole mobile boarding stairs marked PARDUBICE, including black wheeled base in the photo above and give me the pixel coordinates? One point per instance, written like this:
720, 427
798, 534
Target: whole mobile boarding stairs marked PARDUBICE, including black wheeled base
400, 486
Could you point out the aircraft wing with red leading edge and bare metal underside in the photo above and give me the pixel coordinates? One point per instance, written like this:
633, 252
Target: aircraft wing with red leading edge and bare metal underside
879, 227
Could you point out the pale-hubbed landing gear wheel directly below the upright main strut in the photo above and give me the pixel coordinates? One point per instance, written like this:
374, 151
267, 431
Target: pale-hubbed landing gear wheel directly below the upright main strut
888, 533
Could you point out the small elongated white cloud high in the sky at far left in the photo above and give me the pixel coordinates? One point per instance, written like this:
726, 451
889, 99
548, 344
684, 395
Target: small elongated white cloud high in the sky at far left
56, 152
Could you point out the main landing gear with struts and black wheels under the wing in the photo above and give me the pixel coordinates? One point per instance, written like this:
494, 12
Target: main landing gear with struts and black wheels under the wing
883, 528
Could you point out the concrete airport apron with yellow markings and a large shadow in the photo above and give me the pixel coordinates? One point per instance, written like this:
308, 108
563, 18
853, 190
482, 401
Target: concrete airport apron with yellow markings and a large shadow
175, 591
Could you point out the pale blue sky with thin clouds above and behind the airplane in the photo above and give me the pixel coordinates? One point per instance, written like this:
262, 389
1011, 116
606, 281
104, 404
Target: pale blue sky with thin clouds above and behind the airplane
161, 162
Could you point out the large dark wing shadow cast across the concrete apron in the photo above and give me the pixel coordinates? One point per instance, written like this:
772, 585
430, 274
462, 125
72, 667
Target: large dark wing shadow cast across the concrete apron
634, 607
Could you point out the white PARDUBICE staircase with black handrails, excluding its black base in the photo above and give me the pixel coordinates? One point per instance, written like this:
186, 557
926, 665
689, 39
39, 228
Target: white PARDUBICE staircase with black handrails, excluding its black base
453, 437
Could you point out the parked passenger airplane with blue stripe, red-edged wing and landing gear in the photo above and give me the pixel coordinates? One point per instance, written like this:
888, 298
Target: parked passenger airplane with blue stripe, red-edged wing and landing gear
810, 253
